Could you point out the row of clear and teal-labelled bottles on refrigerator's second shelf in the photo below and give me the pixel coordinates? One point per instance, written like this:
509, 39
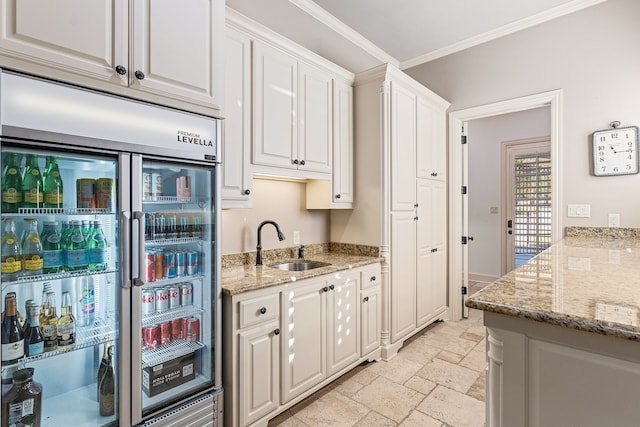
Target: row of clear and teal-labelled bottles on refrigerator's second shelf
78, 245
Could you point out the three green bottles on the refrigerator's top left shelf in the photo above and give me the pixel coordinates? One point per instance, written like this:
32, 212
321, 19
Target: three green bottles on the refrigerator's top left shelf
30, 188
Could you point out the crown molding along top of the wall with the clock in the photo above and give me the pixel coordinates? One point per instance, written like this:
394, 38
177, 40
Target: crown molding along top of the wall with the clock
507, 29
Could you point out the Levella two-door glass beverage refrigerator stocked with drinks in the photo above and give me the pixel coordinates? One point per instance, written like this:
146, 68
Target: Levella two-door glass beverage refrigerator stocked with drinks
110, 263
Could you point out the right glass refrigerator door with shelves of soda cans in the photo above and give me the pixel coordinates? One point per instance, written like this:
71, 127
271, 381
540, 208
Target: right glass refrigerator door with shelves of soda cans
175, 281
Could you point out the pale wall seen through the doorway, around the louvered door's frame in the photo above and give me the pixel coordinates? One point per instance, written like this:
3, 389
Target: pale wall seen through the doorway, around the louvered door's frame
485, 137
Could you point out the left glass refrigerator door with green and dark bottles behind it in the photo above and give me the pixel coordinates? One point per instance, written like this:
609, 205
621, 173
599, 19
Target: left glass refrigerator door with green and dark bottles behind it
66, 220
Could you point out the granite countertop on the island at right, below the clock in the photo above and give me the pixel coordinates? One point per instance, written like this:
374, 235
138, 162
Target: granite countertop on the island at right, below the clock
587, 281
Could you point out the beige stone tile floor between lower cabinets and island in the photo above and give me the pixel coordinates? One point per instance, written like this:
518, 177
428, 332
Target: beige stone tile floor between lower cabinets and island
436, 379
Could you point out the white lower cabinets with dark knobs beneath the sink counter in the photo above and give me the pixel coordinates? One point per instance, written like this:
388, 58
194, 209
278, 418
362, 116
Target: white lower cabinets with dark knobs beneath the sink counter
285, 342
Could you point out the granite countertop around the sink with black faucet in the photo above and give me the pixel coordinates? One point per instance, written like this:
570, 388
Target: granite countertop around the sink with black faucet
249, 277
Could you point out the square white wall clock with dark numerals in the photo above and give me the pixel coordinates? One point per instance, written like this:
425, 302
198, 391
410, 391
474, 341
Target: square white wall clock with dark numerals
615, 150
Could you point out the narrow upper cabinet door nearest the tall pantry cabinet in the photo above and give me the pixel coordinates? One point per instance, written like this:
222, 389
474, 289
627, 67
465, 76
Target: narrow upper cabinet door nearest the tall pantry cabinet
342, 143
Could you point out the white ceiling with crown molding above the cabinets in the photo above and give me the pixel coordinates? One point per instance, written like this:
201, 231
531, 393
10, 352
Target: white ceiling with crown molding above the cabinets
361, 34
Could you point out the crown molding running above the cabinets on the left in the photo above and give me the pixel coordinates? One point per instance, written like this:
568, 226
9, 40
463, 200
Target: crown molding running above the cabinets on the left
344, 30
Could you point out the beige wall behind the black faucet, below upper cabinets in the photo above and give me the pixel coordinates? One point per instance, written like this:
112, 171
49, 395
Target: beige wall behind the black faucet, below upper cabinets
280, 201
